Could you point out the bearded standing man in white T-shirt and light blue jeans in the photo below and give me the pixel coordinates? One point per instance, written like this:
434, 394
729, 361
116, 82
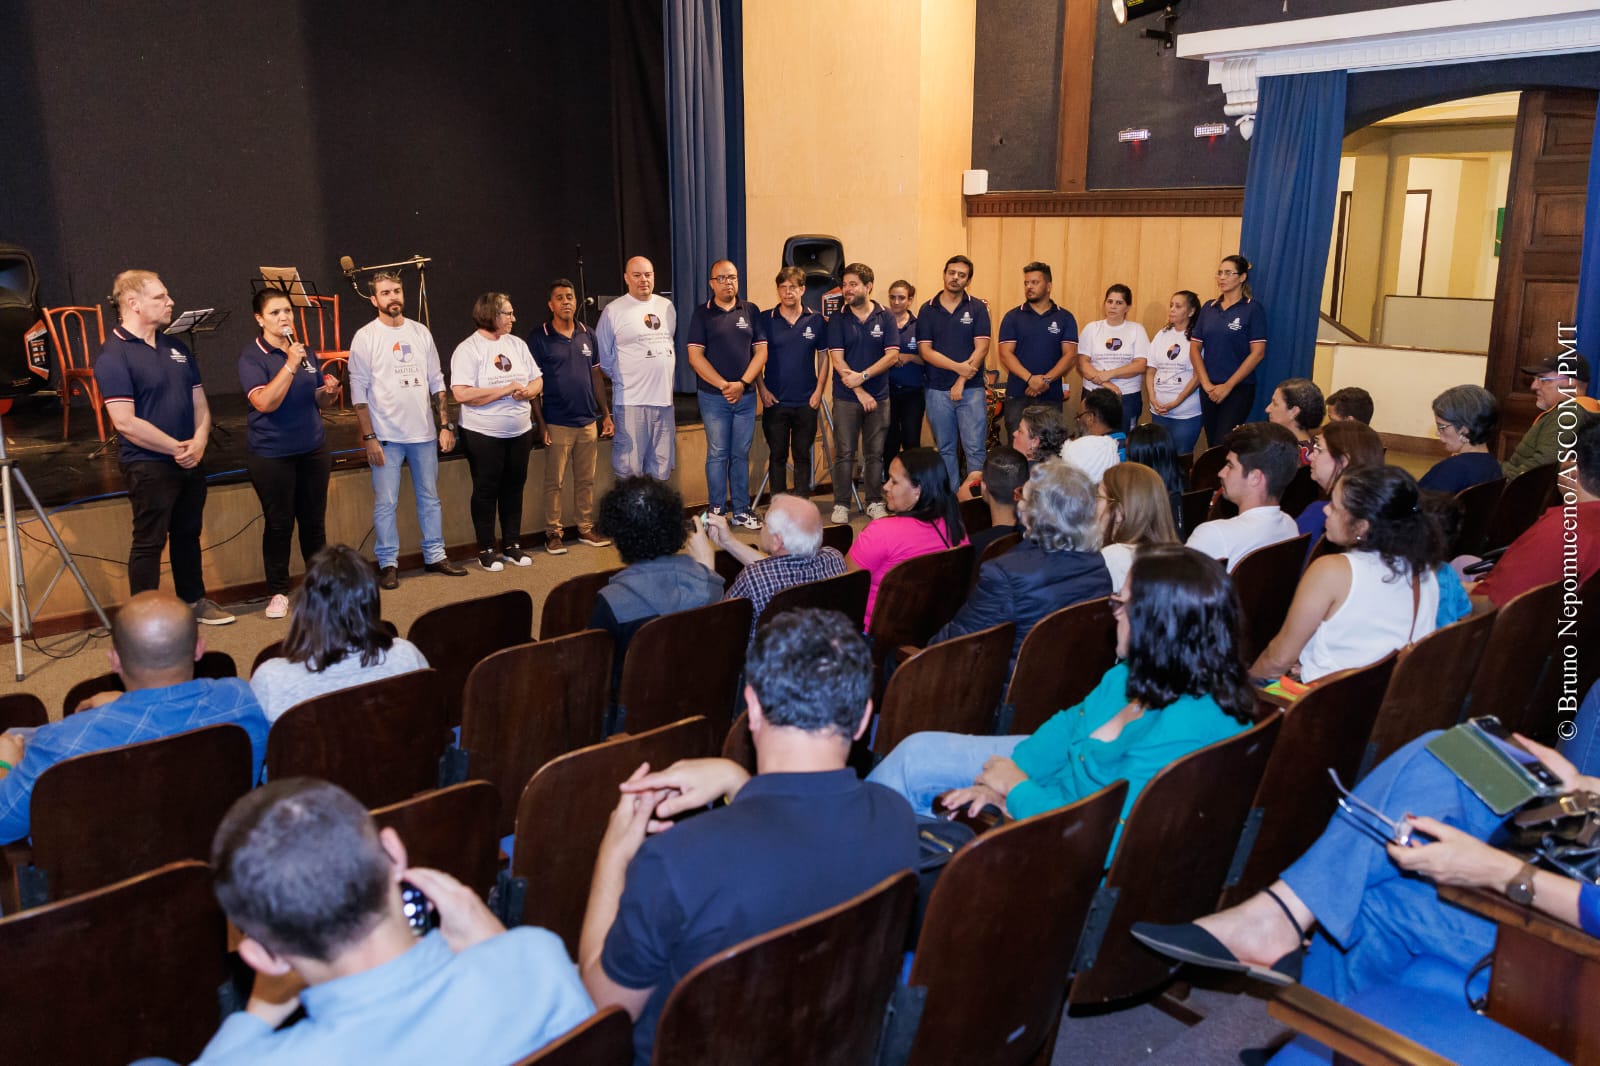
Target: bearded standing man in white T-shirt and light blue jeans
394, 371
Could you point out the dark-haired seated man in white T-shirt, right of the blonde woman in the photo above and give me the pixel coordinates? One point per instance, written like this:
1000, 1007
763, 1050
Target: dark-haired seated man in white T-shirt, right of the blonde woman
1262, 463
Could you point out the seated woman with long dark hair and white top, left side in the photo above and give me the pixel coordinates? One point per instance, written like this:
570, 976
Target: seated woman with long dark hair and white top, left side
337, 636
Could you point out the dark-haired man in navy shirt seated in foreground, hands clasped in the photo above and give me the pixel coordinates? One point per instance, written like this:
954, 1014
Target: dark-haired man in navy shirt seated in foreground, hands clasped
807, 833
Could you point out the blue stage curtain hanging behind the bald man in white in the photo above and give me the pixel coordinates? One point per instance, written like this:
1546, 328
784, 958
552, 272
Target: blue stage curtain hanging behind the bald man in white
705, 150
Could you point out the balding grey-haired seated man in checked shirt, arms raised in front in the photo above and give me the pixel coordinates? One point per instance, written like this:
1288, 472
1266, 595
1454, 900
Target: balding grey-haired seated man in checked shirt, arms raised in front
791, 553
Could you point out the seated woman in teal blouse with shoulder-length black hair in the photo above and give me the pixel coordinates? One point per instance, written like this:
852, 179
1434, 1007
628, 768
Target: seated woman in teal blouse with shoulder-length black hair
1180, 686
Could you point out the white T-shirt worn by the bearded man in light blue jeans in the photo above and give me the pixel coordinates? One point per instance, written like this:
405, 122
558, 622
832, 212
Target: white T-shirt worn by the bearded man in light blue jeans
394, 372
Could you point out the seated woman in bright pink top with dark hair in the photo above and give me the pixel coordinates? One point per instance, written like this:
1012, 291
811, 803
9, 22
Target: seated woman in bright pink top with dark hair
924, 518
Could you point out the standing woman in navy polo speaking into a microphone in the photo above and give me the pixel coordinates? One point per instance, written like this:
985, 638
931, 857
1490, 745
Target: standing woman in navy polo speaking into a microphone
289, 459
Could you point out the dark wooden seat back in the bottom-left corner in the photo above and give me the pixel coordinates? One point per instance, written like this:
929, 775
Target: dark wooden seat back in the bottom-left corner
118, 974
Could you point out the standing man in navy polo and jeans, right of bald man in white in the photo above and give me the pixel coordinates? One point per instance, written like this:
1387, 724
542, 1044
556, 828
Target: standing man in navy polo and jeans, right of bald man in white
727, 351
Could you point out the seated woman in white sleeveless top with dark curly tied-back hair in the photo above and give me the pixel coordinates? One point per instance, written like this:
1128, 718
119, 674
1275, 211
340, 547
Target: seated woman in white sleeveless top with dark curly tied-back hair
1382, 595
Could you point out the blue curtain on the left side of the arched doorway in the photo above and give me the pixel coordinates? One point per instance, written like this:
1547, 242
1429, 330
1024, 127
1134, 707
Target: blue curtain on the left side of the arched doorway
1290, 190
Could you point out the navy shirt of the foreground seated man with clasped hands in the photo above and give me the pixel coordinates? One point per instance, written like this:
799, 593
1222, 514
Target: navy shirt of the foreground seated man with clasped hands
804, 843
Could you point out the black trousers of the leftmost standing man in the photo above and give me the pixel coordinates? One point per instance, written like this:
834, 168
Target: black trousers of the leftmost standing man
169, 508
